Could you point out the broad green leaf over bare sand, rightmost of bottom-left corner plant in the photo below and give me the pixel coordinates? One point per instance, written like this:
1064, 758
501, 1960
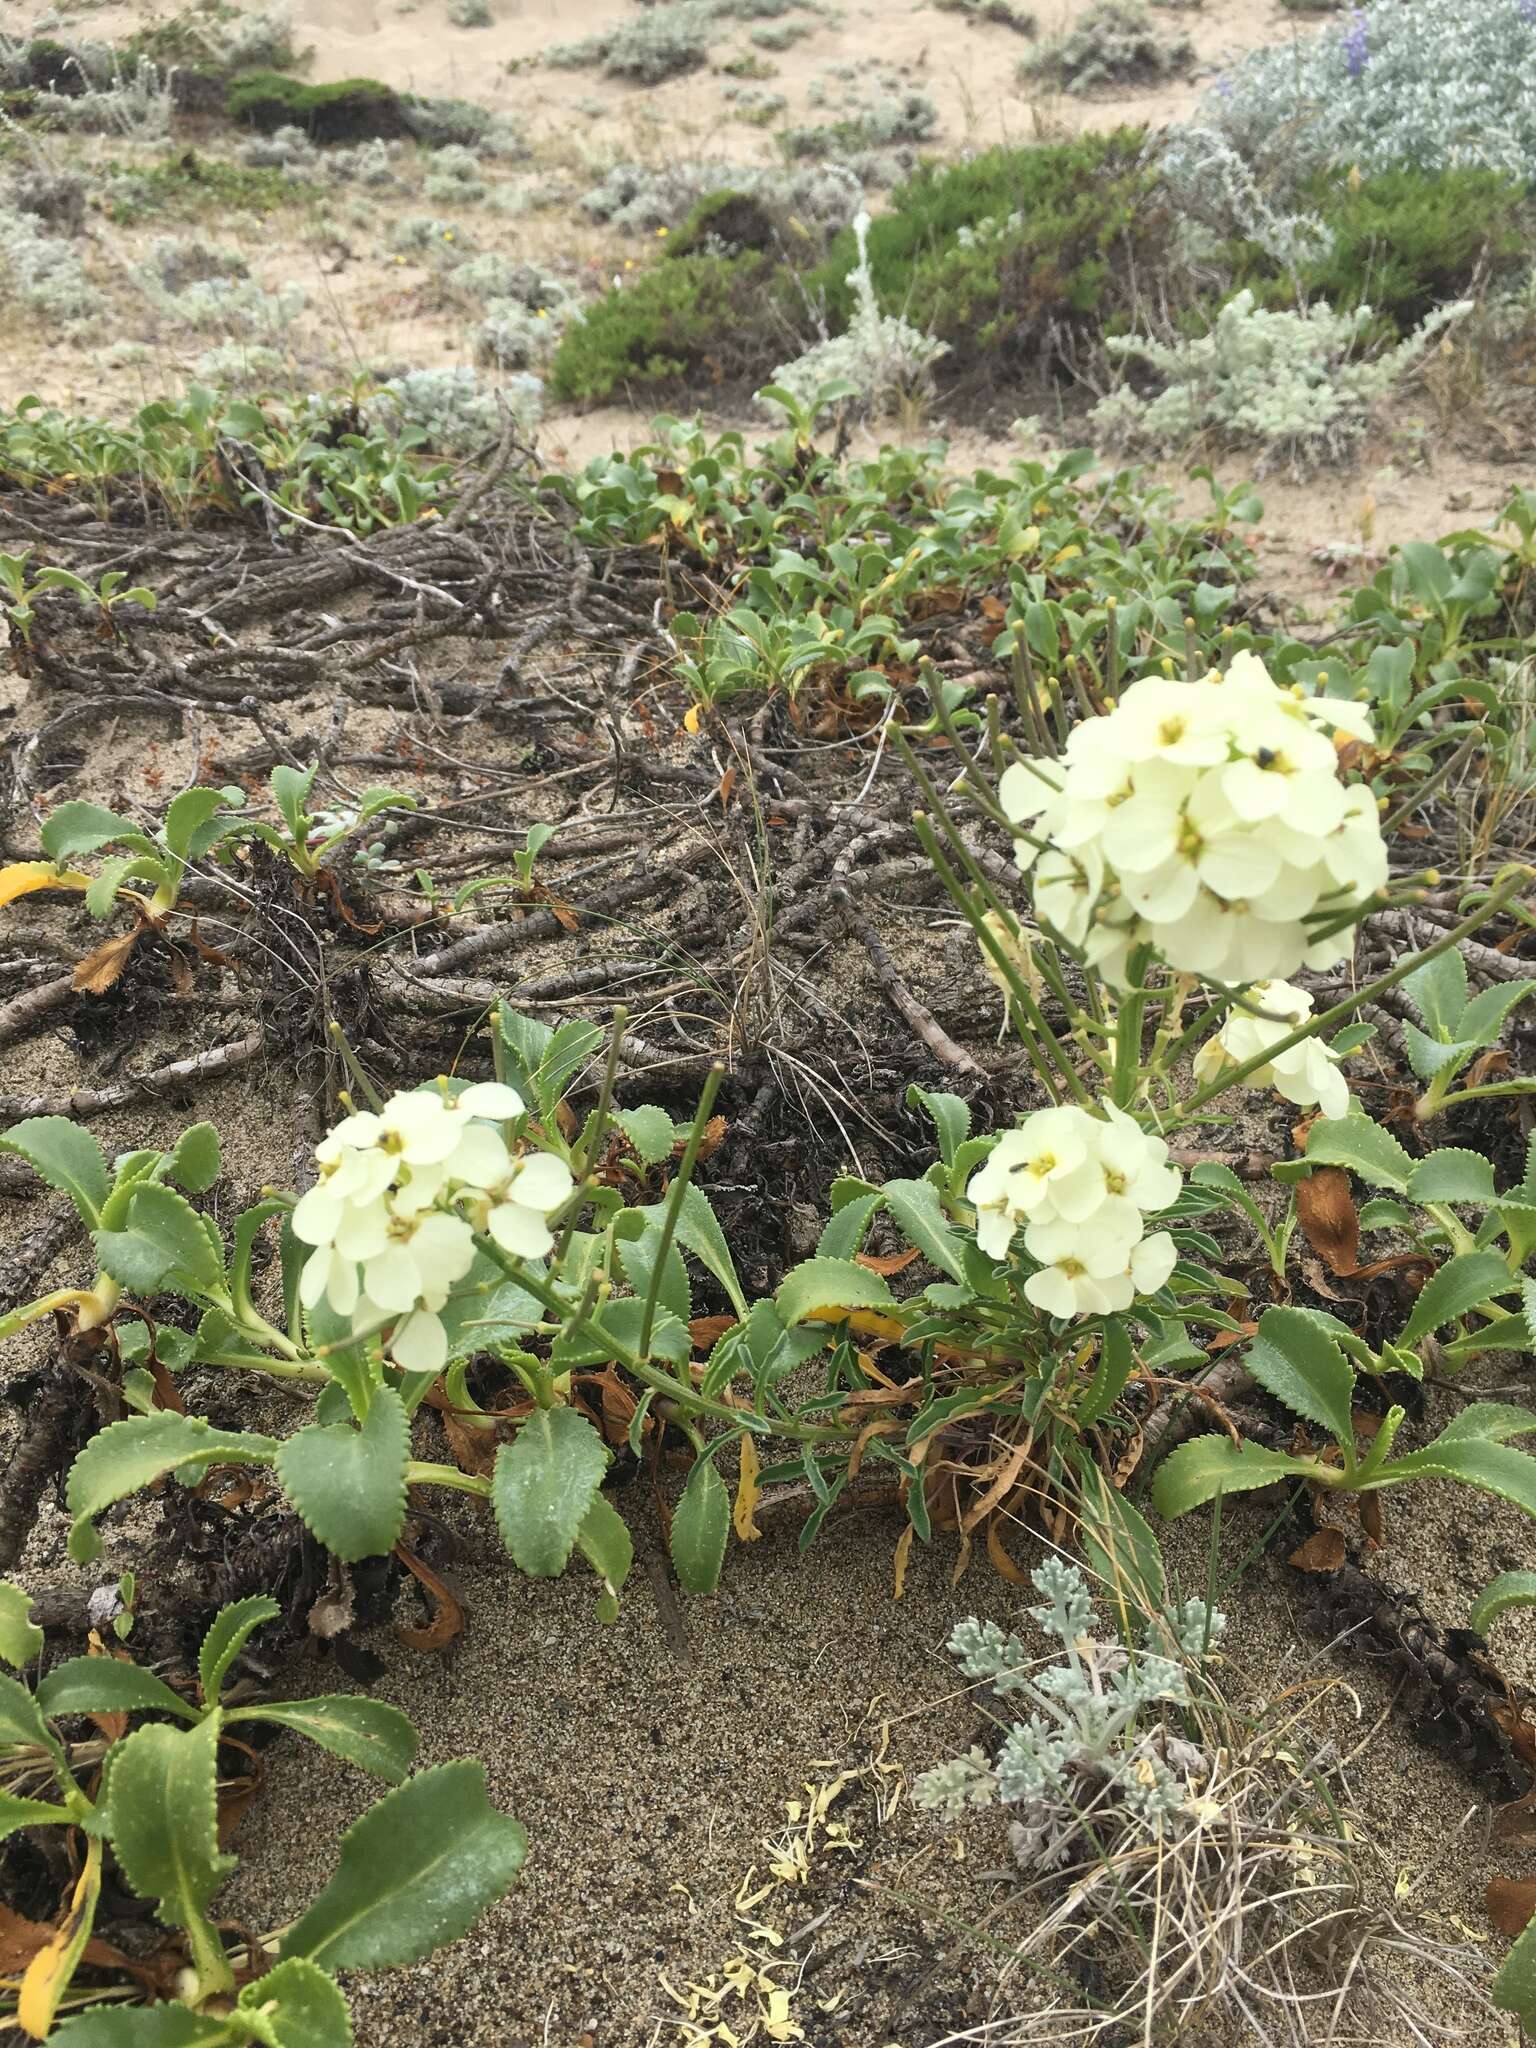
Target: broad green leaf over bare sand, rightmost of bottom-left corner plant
417, 1871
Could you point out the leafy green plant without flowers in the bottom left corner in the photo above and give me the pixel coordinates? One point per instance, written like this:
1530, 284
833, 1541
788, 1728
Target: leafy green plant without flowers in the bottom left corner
415, 1873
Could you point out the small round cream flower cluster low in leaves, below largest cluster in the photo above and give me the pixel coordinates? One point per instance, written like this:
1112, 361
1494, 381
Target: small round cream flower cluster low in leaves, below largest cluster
1080, 1187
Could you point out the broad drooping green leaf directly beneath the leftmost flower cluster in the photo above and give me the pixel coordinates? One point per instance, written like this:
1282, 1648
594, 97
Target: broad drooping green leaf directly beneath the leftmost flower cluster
349, 1484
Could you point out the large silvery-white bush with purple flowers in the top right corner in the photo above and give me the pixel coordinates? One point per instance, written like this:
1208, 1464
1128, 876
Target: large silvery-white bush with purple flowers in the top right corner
1428, 83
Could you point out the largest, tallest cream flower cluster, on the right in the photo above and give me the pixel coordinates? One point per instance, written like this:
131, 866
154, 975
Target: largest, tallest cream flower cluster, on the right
1205, 820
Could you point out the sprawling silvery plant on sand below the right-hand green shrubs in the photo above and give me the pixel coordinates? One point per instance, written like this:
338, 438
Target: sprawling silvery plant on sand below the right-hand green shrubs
1283, 382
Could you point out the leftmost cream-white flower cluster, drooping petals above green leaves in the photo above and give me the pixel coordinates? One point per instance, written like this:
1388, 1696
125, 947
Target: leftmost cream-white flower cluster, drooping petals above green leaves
400, 1199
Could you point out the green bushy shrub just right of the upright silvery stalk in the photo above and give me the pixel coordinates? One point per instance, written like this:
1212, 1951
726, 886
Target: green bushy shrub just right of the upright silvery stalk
992, 253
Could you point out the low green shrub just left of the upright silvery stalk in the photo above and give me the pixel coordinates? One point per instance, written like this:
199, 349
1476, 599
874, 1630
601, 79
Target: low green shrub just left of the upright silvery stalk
712, 318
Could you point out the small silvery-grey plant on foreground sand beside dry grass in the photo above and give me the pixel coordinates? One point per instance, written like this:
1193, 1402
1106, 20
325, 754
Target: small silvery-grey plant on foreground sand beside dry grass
1084, 1742
